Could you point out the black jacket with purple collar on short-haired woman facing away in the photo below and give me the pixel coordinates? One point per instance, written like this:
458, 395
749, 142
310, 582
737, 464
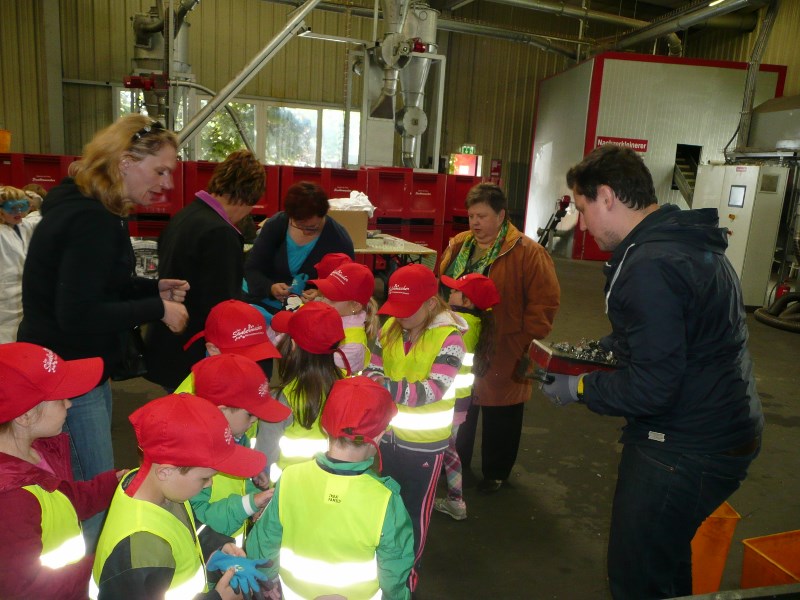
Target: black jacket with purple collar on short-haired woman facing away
200, 246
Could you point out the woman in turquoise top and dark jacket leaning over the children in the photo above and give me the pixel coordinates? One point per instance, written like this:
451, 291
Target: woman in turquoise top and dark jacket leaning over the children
289, 246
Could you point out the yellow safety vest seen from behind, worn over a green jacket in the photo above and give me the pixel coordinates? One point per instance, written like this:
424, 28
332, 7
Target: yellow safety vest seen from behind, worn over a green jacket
331, 529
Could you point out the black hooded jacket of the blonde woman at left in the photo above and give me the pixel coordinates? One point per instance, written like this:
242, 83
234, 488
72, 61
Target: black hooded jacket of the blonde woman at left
79, 292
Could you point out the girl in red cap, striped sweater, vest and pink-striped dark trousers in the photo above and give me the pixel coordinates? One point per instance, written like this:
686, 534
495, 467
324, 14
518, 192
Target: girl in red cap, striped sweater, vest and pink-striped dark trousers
417, 356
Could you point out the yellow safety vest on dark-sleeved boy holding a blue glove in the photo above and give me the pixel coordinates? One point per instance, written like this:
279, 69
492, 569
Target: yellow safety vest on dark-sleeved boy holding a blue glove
128, 516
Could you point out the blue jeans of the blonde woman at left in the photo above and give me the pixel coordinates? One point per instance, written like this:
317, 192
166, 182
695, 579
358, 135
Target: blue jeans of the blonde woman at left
89, 427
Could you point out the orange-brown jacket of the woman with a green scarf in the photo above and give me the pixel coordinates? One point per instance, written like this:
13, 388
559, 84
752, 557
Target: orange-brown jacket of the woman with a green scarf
529, 297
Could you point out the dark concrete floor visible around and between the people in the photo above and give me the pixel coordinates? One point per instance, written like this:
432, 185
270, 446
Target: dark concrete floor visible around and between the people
544, 534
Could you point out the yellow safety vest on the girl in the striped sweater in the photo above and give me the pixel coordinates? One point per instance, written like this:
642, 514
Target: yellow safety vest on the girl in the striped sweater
430, 423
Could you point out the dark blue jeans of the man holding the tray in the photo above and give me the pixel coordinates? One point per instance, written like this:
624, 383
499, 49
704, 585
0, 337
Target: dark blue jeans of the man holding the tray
661, 499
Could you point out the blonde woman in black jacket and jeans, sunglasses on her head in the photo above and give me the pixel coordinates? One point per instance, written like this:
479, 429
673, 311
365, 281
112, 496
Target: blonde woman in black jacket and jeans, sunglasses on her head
79, 294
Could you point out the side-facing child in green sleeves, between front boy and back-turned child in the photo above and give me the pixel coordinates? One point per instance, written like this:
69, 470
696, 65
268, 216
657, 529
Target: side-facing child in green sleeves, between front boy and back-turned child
240, 390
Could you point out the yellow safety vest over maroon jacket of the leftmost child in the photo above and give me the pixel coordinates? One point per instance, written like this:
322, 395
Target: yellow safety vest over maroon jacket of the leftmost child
62, 541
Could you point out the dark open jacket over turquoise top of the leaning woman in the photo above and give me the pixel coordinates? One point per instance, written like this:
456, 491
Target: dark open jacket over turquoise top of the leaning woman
268, 262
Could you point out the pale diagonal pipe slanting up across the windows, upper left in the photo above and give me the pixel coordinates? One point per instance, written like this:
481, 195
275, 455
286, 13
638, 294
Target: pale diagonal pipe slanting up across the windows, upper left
233, 87
